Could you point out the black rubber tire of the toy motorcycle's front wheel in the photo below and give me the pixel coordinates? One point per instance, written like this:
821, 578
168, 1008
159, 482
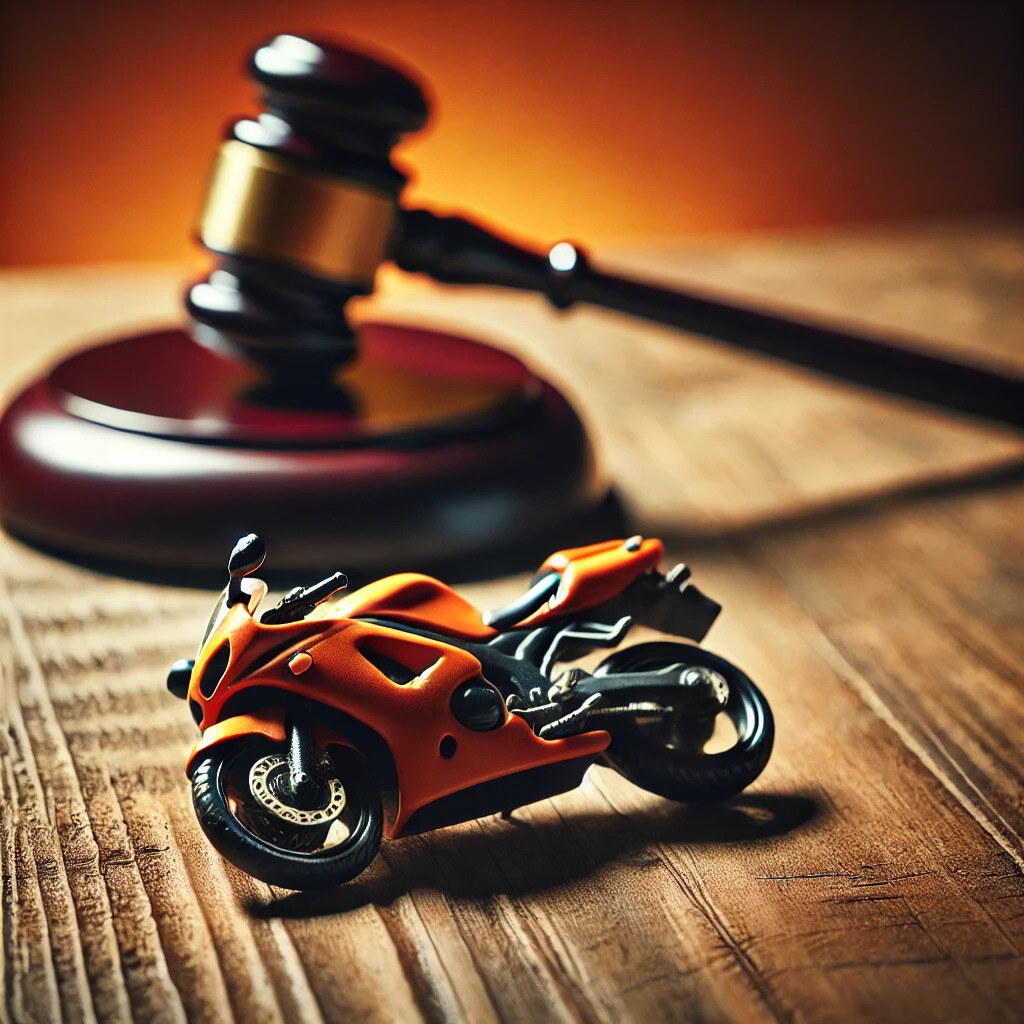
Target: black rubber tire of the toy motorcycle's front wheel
274, 865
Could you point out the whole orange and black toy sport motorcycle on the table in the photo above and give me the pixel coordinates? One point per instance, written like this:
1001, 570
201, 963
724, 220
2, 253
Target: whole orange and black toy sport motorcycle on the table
333, 719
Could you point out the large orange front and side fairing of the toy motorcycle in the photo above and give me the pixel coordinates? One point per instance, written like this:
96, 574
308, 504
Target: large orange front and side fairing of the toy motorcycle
436, 757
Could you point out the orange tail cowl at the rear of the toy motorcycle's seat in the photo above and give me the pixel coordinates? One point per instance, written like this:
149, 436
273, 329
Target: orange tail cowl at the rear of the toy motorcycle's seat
595, 574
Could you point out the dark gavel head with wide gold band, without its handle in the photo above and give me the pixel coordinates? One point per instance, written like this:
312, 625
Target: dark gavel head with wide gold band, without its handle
303, 206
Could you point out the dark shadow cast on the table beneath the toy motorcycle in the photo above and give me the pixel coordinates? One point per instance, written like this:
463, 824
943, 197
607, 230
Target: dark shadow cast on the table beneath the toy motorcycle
518, 858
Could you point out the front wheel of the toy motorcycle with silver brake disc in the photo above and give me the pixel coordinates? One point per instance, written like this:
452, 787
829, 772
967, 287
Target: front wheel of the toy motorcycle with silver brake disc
247, 812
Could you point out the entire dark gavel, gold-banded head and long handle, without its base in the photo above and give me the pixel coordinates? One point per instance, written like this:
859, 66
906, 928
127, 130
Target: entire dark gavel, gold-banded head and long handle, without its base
305, 206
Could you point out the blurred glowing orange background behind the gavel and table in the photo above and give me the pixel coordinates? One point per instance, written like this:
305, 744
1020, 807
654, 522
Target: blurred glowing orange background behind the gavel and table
601, 121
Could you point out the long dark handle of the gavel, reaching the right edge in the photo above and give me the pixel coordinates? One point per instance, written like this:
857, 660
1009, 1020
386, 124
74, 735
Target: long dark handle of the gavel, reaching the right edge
456, 251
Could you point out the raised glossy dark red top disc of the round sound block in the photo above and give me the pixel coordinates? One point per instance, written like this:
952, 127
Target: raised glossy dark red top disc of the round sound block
405, 381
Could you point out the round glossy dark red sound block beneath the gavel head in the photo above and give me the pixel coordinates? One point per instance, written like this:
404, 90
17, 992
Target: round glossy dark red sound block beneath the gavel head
153, 454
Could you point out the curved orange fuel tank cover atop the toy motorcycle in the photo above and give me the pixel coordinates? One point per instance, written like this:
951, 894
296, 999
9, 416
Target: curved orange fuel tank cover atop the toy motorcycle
416, 601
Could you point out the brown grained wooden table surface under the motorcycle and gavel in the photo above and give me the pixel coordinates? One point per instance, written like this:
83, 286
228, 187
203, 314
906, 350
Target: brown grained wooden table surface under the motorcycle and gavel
871, 564
